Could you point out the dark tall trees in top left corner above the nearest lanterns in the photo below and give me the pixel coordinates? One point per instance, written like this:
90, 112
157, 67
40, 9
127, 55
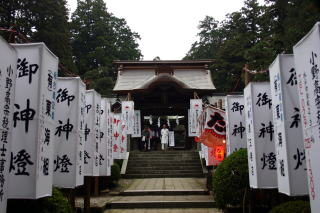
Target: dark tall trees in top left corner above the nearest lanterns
40, 21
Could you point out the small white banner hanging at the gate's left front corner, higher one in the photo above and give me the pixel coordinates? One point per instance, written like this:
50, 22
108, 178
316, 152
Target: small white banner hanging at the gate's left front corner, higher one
127, 115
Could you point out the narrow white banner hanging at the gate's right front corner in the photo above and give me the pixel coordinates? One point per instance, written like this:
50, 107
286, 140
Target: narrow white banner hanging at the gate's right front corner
195, 111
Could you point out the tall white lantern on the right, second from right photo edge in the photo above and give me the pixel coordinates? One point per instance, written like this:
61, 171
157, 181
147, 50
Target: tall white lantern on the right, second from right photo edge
291, 165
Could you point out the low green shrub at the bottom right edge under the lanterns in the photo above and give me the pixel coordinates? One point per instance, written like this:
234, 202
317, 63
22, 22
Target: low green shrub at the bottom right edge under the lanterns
292, 207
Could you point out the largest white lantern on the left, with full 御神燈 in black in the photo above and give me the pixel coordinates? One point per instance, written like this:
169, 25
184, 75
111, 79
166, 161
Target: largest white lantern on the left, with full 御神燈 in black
31, 164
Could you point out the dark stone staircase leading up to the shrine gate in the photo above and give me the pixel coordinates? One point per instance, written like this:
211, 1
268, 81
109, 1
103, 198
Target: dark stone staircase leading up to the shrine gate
159, 164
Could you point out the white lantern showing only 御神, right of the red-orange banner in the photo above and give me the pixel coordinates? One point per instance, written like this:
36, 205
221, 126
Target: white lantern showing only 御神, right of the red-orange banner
236, 126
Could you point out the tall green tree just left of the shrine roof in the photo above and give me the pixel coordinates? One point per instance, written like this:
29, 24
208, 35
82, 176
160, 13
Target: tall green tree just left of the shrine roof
99, 38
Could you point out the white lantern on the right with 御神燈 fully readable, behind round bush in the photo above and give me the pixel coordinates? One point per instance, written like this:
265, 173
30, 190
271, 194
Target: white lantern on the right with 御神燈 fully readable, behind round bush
260, 133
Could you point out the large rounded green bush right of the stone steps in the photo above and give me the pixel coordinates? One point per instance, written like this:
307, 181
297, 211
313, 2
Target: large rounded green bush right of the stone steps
231, 179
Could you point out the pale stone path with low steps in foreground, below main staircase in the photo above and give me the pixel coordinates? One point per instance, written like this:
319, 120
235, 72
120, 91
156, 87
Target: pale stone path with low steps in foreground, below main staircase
156, 195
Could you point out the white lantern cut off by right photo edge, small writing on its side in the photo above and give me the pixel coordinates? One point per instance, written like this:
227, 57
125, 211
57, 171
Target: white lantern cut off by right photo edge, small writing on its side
307, 62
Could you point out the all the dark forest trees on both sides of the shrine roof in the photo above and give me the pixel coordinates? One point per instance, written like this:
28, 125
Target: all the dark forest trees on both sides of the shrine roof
93, 38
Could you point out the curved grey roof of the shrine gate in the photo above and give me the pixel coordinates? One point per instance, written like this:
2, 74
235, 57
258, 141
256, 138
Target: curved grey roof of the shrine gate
141, 75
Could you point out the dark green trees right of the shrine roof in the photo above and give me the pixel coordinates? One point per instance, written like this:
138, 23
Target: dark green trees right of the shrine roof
254, 36
